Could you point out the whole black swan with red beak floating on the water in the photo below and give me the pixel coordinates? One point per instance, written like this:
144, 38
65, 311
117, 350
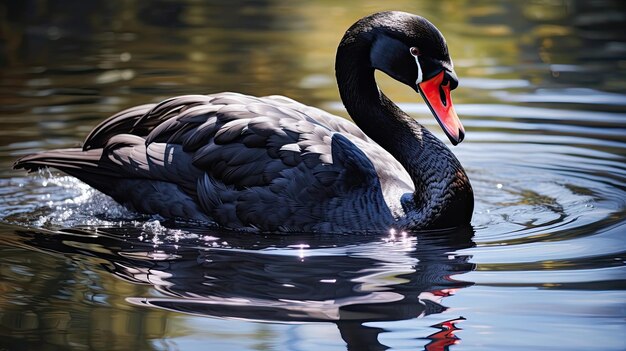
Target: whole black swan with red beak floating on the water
273, 164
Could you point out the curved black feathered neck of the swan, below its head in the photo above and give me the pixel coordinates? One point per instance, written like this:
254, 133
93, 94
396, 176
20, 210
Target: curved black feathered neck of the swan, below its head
436, 173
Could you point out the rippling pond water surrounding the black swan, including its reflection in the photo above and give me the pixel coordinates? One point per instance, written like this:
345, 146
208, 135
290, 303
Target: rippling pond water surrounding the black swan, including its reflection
543, 100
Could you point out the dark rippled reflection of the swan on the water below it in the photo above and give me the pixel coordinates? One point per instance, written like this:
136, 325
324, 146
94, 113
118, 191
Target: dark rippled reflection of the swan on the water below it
348, 281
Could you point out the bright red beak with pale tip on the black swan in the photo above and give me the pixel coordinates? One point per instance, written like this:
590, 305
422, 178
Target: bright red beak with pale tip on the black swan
437, 97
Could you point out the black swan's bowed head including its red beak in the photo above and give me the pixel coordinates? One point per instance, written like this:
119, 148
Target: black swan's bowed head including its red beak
413, 51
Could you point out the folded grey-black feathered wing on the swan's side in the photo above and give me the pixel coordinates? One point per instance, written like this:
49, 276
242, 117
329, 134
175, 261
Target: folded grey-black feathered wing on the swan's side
247, 162
